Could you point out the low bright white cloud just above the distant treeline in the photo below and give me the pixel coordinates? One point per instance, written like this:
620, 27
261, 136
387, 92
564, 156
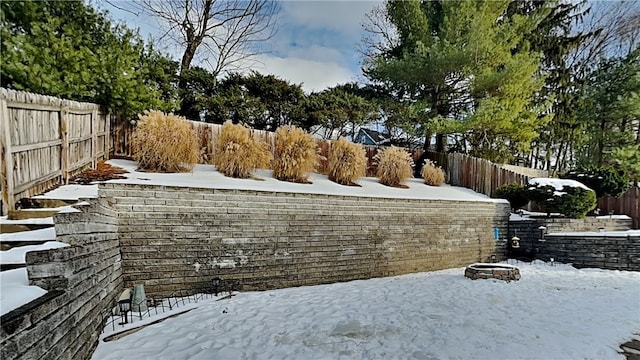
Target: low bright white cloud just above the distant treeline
314, 75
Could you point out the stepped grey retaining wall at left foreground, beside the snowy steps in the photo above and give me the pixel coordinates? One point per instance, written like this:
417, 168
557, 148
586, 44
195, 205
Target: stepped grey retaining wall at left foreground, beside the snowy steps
82, 281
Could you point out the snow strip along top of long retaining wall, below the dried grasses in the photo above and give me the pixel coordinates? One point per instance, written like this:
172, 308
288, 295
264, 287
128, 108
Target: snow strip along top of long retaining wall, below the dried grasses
205, 176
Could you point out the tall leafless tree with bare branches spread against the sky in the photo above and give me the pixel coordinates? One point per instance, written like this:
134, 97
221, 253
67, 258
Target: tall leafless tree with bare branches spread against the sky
224, 33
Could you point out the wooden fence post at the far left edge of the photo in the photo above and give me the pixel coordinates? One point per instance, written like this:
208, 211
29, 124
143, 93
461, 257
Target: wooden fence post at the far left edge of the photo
6, 178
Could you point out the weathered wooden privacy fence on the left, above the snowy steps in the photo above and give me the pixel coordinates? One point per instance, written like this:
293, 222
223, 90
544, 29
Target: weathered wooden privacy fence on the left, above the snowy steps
45, 141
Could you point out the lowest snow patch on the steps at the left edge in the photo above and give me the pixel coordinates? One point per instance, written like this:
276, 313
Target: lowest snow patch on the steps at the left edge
15, 290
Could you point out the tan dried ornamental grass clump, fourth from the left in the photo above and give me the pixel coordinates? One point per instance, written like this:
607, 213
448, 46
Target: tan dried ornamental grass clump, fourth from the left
347, 162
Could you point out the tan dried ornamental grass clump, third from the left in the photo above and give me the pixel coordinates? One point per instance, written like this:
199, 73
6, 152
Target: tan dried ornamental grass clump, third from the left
295, 155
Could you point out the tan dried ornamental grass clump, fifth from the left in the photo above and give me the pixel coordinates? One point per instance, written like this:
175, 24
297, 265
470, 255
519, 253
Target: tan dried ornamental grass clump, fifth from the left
394, 166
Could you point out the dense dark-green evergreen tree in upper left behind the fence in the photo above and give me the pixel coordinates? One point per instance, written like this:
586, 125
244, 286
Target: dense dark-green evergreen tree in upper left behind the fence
67, 49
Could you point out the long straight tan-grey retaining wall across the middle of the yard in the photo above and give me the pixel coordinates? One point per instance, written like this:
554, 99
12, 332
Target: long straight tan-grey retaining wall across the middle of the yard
175, 238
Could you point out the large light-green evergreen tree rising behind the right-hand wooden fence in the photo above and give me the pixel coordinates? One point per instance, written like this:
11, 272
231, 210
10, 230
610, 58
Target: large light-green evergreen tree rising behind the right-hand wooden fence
467, 67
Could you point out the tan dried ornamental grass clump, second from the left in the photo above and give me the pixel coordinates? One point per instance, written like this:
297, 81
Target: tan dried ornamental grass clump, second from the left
238, 153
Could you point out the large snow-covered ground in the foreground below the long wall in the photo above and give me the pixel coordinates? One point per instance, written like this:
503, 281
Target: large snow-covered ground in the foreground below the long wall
553, 312
